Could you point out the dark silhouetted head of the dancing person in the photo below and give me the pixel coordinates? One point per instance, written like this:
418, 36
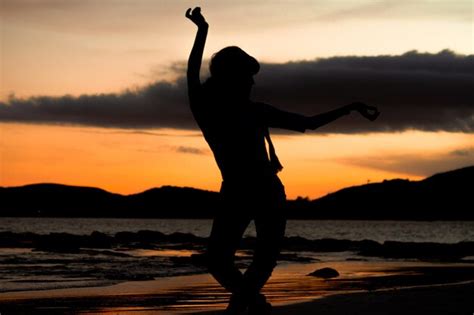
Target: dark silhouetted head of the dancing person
234, 69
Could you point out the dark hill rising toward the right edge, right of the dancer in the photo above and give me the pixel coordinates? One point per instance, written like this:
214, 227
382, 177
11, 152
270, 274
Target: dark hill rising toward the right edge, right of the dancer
444, 196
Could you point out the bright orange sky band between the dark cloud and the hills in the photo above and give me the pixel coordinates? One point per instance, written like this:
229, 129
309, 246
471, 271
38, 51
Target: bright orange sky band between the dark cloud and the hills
129, 162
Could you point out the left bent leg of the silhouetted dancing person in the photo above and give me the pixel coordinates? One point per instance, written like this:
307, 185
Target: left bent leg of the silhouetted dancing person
226, 233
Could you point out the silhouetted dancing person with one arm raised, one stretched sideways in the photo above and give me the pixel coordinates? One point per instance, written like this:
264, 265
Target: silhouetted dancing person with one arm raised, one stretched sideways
236, 129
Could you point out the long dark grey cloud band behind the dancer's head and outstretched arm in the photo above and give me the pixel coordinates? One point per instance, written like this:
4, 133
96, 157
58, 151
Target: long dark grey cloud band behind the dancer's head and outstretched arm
430, 92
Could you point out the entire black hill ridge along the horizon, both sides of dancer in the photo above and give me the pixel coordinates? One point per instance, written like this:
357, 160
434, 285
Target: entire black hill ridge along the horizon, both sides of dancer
444, 196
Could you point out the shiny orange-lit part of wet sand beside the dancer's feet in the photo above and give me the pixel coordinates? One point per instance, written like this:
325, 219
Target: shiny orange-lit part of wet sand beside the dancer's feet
189, 294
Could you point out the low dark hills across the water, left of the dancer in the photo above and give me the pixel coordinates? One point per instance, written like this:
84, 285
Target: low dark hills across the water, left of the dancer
55, 200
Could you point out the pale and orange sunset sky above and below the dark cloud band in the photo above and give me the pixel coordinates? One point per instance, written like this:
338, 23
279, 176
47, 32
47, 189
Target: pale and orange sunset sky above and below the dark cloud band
76, 47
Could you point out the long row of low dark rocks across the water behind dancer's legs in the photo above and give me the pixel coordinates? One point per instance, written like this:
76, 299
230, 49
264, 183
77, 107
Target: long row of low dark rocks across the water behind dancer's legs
71, 243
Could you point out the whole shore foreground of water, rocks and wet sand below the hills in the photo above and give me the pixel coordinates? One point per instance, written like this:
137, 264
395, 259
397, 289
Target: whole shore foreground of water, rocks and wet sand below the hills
121, 266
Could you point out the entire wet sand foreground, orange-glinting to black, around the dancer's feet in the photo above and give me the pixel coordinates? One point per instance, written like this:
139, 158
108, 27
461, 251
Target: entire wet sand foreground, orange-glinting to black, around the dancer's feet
385, 287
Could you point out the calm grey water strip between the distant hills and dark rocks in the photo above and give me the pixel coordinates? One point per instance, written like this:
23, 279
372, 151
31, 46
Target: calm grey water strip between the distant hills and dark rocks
380, 231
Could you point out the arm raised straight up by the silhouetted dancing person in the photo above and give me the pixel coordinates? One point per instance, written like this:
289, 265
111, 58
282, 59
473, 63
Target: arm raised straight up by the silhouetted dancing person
195, 58
